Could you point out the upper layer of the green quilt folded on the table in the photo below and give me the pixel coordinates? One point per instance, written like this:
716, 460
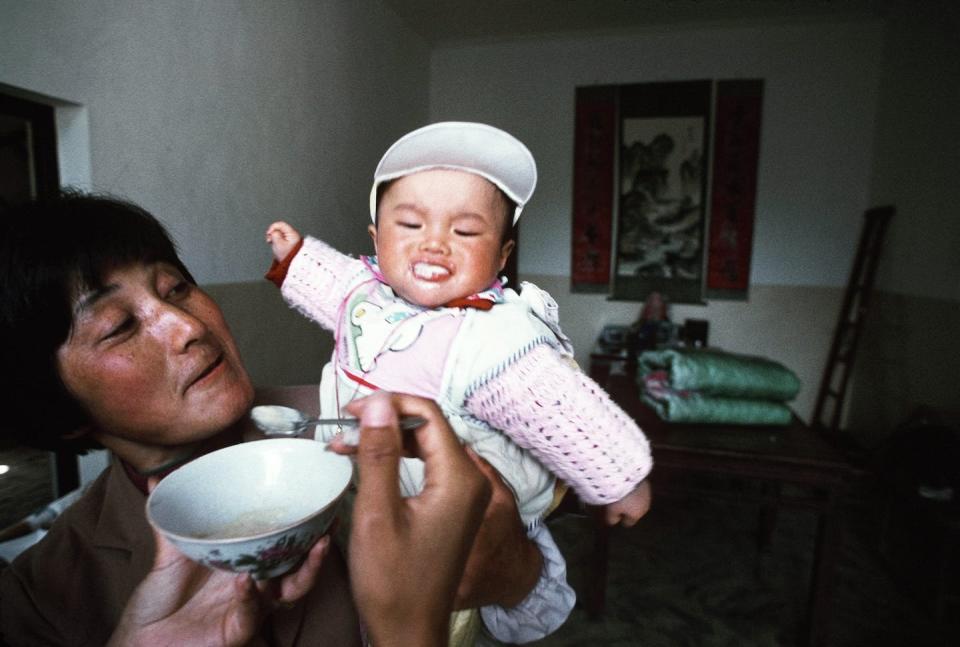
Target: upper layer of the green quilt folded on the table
717, 373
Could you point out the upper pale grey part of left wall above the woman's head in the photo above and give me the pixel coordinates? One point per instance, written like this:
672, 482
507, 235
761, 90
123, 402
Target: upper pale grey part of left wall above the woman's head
221, 116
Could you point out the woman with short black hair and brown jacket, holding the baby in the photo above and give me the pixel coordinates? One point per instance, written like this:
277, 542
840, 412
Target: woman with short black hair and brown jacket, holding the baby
107, 341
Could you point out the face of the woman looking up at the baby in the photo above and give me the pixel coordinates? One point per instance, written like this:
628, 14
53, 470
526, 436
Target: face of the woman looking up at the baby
152, 360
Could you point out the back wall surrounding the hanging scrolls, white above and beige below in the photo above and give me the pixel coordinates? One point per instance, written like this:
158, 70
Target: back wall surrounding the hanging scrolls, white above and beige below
816, 154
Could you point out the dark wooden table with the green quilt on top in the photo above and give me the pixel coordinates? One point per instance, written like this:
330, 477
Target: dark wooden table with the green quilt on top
776, 456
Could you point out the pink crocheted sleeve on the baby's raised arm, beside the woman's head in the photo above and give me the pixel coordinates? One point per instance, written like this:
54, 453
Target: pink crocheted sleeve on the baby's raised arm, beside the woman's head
318, 281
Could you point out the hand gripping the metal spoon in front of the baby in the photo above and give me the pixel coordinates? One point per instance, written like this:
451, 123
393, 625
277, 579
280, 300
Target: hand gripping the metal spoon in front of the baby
407, 555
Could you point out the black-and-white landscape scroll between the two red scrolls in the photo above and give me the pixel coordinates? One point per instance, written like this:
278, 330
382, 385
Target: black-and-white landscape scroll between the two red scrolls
661, 193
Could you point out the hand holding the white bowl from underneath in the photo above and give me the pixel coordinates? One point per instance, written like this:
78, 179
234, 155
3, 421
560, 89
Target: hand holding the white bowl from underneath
181, 602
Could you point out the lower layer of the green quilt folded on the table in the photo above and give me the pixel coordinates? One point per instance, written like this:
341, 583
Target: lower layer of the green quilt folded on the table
694, 407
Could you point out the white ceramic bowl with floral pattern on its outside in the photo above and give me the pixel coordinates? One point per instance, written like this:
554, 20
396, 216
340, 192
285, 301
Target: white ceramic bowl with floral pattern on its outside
255, 508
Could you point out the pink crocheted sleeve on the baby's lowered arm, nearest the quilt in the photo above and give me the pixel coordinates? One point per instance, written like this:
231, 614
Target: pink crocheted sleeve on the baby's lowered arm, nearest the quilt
568, 423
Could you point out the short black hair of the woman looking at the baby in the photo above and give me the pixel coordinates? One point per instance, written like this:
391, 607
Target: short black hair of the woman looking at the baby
49, 249
